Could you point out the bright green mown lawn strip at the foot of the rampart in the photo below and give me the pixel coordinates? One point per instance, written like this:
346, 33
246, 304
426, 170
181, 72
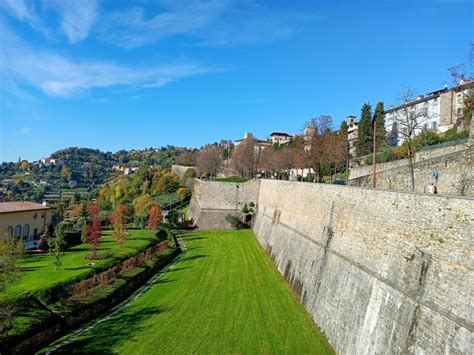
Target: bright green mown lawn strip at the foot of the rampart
224, 296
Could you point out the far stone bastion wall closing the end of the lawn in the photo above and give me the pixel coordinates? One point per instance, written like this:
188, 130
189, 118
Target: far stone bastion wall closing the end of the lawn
213, 201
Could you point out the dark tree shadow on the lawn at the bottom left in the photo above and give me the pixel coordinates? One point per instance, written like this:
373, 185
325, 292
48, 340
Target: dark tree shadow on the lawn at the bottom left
110, 334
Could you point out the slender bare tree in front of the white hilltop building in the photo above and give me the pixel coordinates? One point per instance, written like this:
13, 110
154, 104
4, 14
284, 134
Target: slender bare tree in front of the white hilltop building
410, 120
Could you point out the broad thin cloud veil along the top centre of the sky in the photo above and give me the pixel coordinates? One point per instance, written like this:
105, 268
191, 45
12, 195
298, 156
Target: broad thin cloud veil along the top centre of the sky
207, 23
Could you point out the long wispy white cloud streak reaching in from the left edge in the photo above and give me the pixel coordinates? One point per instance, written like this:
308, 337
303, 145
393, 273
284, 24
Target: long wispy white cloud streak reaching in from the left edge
60, 76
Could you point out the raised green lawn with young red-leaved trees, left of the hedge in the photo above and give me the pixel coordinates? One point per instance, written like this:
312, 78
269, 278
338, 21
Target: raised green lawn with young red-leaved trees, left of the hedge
38, 271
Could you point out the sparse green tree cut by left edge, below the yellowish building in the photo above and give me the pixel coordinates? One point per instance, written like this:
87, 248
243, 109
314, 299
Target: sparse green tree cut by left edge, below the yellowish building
11, 250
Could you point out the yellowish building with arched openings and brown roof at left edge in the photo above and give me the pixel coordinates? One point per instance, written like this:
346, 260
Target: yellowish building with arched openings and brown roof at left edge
25, 220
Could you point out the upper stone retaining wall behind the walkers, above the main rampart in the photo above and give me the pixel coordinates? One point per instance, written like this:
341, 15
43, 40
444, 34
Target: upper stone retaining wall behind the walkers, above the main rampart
456, 174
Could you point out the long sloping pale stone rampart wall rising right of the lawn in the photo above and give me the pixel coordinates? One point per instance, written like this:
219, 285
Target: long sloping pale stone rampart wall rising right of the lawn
379, 271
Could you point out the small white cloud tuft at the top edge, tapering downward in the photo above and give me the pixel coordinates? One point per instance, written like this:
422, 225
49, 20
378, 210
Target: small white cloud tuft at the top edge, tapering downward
77, 17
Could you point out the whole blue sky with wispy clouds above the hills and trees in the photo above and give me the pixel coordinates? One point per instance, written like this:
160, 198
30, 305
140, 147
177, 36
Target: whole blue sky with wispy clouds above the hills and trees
120, 75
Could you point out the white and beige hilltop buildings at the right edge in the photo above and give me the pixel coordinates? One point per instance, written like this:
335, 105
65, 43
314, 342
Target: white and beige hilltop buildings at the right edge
438, 110
